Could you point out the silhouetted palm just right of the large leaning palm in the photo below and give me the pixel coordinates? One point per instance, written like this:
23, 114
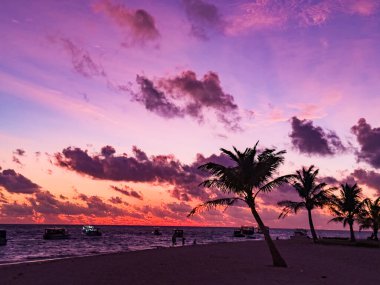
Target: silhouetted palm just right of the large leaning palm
312, 194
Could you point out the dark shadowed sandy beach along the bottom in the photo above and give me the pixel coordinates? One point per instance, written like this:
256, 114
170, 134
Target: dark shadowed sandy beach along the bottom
219, 263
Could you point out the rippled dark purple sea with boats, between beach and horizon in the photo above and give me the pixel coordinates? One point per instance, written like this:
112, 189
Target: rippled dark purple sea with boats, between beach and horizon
25, 242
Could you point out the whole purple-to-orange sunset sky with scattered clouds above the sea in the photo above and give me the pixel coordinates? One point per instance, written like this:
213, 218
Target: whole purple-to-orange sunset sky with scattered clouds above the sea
108, 107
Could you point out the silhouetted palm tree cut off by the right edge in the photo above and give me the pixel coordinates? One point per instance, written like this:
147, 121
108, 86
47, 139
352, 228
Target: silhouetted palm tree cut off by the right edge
370, 216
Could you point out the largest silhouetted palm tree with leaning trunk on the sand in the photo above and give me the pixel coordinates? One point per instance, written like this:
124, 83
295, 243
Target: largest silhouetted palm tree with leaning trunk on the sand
250, 174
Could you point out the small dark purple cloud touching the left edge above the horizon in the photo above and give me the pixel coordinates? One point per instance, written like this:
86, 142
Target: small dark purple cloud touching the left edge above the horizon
16, 183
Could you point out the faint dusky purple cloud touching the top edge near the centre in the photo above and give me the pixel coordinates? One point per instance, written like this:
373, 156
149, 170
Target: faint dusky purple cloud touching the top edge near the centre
204, 18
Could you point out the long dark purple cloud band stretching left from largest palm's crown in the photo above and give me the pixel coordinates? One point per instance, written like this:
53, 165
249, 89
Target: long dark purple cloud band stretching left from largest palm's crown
182, 179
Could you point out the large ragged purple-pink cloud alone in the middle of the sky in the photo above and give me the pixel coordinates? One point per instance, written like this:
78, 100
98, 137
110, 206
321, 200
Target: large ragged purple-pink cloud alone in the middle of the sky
184, 94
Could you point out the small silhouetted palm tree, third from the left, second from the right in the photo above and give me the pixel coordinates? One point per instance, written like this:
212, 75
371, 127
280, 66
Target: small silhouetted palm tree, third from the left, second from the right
347, 207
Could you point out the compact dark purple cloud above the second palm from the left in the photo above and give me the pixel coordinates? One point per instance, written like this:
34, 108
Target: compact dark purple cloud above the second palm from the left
310, 139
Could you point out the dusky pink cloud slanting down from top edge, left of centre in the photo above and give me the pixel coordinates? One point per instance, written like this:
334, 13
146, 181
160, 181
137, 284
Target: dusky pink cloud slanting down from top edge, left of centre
139, 25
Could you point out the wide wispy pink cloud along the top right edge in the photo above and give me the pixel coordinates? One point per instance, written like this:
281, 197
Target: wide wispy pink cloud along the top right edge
275, 14
